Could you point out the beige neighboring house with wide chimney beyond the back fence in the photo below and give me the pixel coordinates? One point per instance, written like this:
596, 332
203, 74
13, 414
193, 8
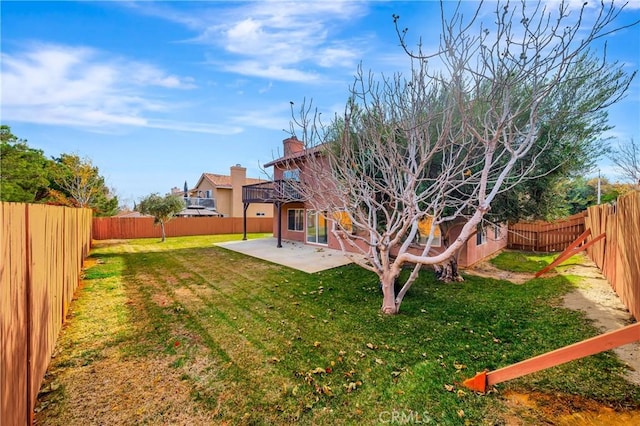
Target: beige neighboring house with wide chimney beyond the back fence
221, 195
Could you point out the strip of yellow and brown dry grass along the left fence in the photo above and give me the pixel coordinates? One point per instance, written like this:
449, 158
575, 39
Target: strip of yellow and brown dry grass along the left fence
93, 379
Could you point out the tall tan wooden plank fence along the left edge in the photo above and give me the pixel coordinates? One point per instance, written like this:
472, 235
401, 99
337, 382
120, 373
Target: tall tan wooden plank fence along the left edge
43, 248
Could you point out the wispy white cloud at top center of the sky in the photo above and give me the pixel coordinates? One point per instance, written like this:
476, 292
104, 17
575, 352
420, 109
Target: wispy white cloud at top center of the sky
281, 40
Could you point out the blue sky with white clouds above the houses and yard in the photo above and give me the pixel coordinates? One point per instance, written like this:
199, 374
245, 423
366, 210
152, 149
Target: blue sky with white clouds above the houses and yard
158, 92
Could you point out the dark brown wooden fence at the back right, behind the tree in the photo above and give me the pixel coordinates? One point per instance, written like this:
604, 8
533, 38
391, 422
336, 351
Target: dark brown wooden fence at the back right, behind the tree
546, 236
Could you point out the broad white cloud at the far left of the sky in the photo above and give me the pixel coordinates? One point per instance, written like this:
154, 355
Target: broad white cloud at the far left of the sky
79, 86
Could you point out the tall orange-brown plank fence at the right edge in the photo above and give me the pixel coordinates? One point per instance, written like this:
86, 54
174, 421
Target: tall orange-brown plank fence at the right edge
618, 255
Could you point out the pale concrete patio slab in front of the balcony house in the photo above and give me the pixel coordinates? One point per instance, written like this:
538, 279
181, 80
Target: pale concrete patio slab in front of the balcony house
294, 255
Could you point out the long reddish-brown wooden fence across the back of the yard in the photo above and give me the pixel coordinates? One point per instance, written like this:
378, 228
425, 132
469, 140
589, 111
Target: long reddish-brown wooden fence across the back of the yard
106, 228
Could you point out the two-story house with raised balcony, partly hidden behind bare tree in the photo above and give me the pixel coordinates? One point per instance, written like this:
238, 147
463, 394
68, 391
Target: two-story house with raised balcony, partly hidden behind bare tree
297, 221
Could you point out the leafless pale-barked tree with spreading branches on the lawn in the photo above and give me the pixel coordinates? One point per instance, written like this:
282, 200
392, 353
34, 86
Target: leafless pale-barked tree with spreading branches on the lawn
443, 142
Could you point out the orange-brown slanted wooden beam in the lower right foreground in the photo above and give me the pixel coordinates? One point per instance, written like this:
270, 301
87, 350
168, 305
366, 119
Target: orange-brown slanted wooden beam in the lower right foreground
594, 345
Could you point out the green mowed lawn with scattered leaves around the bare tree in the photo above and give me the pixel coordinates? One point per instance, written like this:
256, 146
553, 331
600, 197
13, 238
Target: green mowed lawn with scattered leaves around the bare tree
257, 343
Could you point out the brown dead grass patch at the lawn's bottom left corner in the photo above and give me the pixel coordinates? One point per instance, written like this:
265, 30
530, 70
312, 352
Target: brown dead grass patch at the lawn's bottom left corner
121, 391
